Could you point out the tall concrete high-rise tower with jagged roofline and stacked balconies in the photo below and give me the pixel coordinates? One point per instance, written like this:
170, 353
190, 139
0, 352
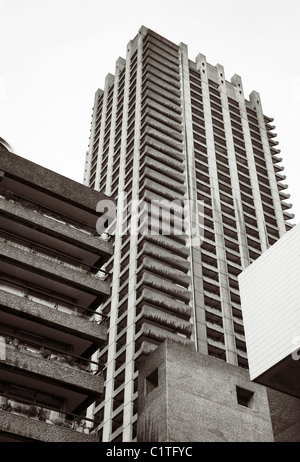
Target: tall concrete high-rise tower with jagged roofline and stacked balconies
172, 132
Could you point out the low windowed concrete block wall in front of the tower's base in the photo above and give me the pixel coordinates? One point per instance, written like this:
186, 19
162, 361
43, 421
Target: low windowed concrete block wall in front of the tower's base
196, 400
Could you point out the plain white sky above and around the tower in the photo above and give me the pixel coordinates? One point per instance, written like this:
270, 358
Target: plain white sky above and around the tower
54, 54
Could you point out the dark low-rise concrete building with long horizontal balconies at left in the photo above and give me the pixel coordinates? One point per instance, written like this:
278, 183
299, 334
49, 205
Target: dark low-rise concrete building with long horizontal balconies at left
51, 286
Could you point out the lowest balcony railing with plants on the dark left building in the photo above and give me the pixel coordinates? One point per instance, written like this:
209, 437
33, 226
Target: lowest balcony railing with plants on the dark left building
50, 416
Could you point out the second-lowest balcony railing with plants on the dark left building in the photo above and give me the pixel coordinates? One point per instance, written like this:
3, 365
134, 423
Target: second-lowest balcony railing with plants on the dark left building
49, 353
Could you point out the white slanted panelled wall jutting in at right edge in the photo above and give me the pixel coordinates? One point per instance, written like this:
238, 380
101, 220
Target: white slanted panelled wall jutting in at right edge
270, 296
